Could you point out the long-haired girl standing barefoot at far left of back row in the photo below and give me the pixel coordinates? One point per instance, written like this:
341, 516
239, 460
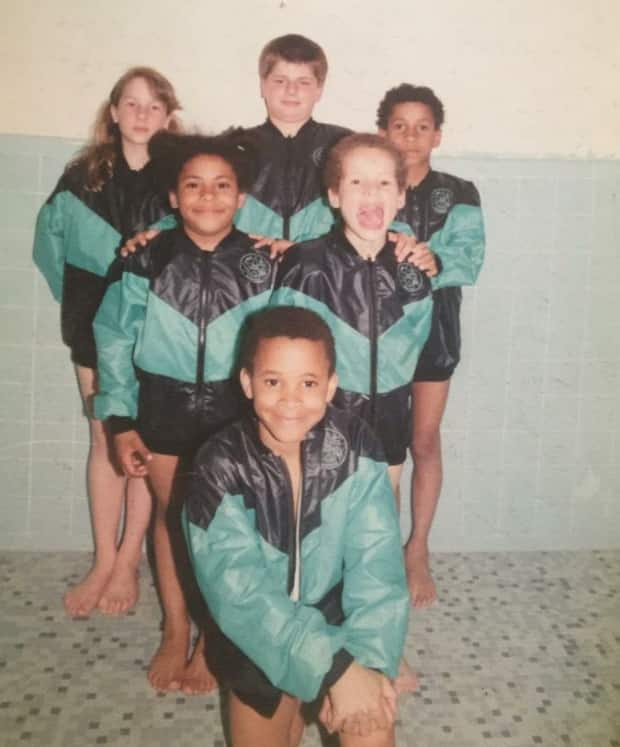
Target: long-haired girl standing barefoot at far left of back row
105, 194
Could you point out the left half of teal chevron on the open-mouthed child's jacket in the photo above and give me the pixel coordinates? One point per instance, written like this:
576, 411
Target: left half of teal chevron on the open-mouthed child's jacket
352, 348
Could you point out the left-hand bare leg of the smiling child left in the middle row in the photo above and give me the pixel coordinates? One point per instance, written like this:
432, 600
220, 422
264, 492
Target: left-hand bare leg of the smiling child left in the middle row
168, 665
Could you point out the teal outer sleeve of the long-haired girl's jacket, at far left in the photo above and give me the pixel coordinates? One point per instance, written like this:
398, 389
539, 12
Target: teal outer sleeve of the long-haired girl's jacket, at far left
49, 241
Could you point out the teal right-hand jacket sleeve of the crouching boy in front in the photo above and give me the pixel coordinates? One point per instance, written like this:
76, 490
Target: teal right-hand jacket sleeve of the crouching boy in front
375, 595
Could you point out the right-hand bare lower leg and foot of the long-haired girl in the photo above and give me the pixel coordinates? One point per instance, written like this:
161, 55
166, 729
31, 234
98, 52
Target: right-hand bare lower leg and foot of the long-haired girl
121, 592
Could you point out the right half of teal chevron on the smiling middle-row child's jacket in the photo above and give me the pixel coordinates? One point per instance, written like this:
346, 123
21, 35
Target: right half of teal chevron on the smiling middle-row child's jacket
223, 337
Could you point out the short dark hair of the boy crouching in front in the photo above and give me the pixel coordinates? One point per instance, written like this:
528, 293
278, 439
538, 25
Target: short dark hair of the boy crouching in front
286, 321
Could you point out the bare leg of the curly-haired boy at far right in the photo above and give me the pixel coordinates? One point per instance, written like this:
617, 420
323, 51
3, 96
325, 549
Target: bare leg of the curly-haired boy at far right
429, 404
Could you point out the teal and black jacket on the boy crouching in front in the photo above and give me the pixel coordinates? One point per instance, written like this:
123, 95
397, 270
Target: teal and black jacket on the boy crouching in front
241, 530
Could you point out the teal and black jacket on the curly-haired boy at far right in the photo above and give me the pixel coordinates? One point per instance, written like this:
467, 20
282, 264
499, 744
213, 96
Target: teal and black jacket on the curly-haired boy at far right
444, 211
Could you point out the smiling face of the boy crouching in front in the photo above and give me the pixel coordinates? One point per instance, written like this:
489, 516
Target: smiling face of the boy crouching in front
290, 385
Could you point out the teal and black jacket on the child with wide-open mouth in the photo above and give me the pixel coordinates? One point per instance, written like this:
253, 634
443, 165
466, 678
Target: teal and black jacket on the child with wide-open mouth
379, 312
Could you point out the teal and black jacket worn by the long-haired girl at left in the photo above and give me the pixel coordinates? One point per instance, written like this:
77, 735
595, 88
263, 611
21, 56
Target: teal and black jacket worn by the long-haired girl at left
77, 233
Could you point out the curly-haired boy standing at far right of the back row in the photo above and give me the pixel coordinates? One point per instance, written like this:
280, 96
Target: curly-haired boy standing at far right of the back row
445, 212
